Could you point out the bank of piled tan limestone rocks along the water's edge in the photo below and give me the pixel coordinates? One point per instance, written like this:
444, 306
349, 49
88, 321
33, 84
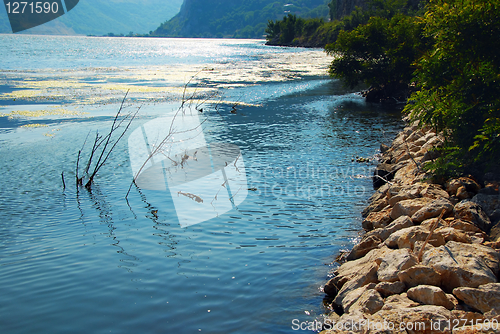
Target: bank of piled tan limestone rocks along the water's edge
429, 259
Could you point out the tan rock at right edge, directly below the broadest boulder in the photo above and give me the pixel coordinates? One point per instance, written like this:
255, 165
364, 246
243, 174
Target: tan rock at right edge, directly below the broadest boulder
484, 298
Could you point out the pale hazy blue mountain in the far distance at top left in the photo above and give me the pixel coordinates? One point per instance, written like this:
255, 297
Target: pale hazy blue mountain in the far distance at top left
97, 17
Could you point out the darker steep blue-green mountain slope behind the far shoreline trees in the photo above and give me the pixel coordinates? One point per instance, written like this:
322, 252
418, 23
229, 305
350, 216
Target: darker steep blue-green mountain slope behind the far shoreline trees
236, 18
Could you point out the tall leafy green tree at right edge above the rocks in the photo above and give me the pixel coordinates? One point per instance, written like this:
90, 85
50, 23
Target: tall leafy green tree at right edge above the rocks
459, 81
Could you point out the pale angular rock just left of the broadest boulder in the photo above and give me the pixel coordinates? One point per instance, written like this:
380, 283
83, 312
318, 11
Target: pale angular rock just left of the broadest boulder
394, 262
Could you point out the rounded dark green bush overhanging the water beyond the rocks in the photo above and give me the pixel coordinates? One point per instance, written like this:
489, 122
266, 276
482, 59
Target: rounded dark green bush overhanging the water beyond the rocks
379, 53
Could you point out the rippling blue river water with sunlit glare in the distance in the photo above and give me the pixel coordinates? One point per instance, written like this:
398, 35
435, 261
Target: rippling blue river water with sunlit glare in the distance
80, 261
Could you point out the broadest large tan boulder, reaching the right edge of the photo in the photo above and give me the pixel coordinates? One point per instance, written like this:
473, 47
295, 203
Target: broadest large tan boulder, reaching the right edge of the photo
463, 265
